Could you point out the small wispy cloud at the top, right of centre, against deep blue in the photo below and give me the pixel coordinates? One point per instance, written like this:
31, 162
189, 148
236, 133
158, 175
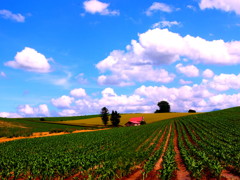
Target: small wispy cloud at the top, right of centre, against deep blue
157, 6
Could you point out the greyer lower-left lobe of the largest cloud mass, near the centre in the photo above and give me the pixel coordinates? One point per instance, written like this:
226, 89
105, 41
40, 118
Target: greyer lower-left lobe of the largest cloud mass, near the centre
127, 67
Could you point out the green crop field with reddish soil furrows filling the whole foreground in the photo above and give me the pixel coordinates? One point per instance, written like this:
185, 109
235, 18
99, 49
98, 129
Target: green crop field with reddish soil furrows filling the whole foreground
204, 146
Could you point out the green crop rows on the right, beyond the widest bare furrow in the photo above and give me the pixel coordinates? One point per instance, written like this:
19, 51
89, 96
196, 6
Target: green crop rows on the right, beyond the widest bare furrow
209, 143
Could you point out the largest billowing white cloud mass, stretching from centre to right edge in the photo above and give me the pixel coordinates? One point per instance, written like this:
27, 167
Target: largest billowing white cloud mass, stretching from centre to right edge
141, 60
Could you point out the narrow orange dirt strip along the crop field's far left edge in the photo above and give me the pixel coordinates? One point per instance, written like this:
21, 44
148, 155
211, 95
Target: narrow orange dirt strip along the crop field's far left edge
46, 134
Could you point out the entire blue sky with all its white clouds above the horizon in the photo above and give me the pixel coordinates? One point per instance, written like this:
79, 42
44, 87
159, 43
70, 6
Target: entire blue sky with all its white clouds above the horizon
74, 57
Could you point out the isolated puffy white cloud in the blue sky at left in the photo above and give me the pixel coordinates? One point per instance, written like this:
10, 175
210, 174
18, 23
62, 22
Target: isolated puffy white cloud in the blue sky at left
30, 60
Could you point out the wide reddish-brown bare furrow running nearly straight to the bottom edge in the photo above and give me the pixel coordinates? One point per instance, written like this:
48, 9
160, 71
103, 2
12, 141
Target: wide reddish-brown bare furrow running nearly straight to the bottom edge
182, 172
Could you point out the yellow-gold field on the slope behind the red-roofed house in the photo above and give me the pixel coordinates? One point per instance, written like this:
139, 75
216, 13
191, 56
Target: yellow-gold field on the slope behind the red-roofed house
149, 118
